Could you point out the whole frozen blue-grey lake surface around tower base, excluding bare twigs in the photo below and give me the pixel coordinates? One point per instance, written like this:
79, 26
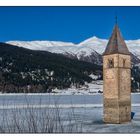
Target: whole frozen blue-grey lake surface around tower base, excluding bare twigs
85, 111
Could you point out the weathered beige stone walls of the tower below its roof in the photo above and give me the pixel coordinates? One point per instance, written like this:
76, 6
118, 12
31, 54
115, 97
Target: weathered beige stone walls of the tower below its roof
117, 87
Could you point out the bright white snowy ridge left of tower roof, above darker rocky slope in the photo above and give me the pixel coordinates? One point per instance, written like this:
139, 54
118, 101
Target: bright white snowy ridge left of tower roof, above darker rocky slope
85, 48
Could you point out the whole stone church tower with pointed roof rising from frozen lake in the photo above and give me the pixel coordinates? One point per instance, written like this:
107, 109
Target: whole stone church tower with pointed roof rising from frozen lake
117, 80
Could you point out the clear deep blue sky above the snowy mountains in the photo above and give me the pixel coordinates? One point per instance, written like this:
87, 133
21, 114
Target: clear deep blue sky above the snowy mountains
72, 24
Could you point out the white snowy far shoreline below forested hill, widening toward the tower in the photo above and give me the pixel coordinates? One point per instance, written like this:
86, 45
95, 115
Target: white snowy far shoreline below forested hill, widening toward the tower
94, 88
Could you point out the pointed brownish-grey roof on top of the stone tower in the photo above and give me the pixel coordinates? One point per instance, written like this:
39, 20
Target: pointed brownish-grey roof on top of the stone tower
116, 43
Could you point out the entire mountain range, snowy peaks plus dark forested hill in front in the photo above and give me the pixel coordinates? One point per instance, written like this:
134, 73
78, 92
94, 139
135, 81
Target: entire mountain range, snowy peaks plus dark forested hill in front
41, 66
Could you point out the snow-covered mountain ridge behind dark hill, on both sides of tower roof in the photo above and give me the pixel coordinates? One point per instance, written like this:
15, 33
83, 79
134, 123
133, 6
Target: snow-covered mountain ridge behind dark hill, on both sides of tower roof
88, 50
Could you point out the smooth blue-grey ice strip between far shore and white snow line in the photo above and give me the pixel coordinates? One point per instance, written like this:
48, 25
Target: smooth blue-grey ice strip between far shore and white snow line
35, 99
